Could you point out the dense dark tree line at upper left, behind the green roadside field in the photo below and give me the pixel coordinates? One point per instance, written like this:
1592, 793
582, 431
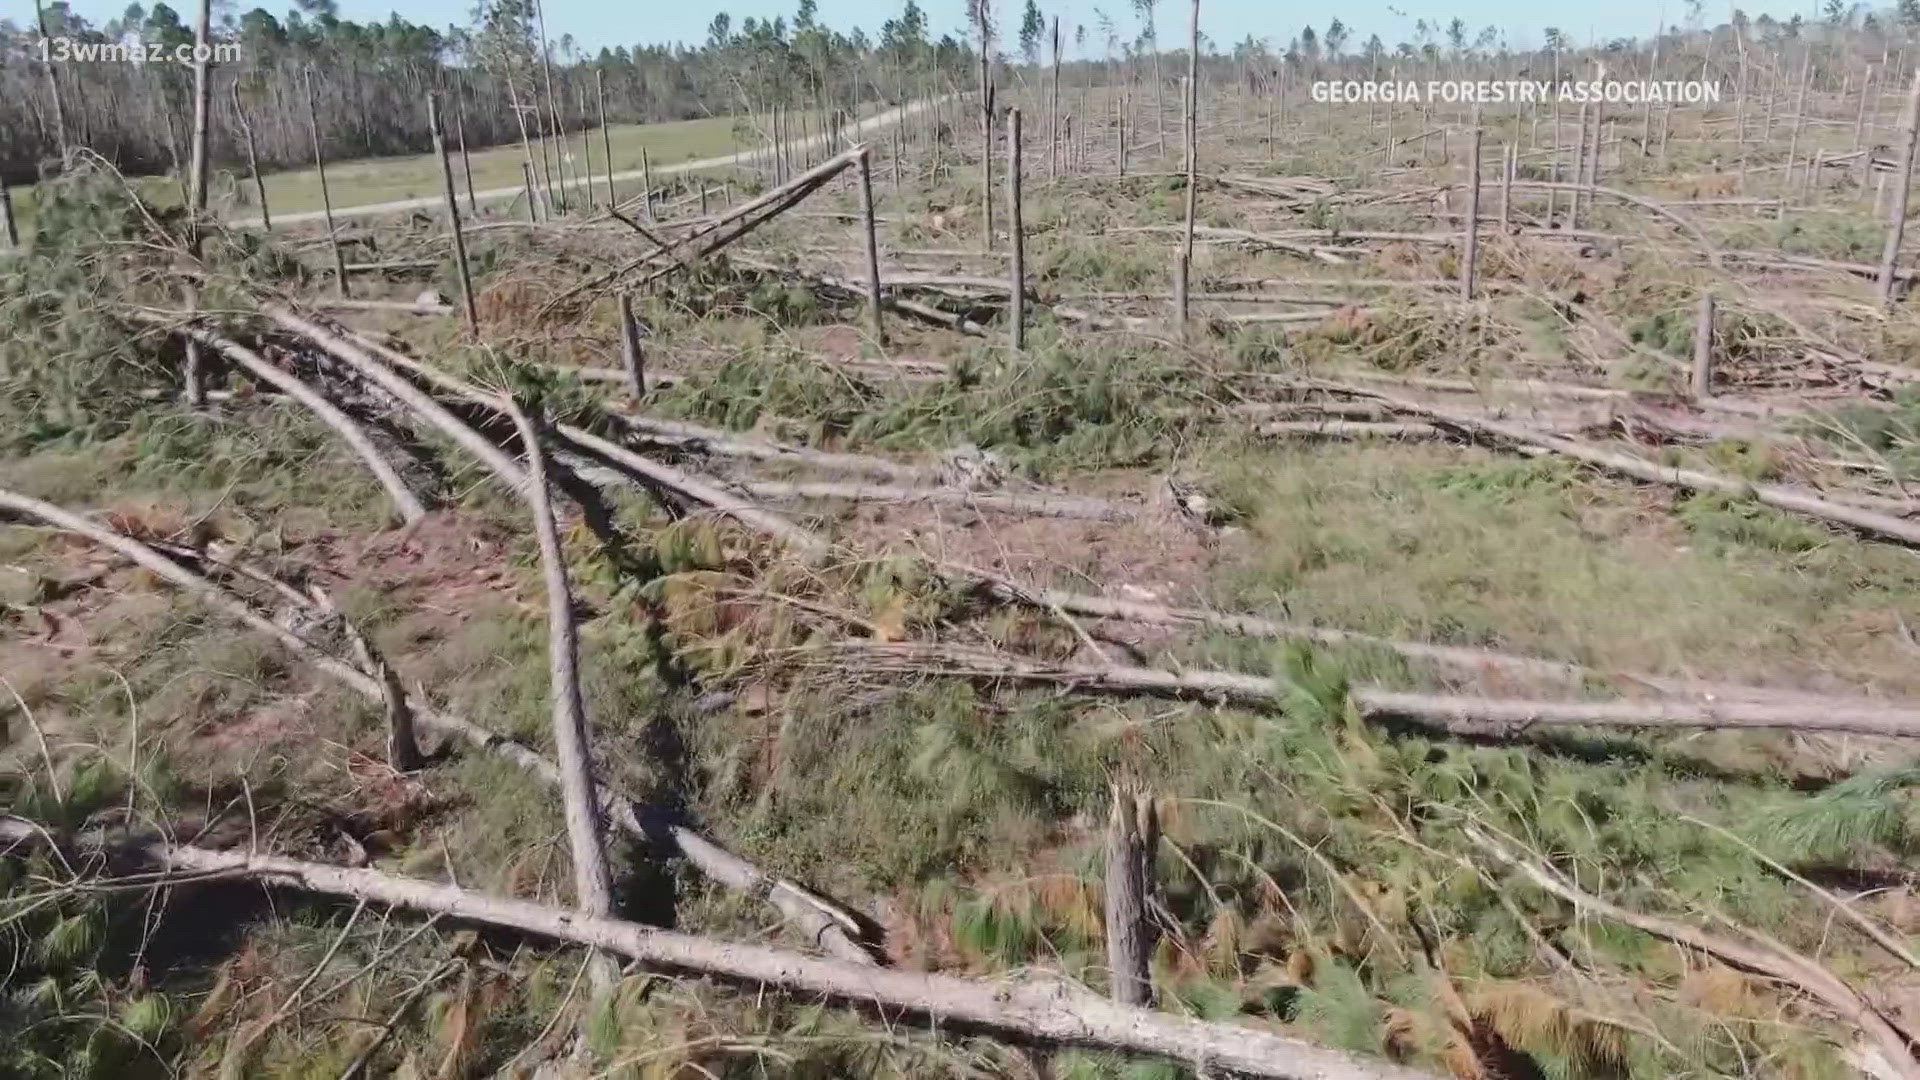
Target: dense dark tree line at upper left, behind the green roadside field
502, 78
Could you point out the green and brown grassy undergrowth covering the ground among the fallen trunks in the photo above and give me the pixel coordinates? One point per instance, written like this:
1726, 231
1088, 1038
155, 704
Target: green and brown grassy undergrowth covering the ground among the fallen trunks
1316, 877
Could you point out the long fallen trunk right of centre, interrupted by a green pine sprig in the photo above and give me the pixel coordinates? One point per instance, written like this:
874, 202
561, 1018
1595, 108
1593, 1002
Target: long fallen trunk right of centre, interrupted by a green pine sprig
1452, 714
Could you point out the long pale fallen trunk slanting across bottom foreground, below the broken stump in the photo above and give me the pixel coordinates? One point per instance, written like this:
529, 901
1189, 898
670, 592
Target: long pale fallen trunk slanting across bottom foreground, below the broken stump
1030, 1008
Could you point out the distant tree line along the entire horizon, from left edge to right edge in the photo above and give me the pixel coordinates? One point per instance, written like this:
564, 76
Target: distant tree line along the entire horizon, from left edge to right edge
504, 80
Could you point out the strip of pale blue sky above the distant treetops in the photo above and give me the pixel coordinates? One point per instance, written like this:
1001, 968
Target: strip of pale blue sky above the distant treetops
598, 22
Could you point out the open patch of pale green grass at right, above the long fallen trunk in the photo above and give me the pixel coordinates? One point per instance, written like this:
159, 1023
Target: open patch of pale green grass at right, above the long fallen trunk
1533, 556
